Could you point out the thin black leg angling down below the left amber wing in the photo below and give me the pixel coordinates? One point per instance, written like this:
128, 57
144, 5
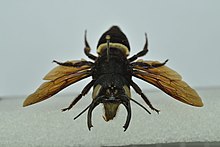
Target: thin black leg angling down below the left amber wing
83, 93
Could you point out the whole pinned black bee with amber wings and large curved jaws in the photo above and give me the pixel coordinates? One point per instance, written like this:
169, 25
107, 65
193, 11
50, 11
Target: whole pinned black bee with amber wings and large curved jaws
112, 71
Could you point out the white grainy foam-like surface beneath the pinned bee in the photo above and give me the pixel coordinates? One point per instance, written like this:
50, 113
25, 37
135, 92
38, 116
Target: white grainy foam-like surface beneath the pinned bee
44, 124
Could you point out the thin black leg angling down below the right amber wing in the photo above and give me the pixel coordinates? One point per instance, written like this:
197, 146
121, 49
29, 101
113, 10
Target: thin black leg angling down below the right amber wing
139, 91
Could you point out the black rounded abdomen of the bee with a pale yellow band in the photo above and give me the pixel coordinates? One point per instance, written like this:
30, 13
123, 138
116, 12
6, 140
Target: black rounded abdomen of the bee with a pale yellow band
118, 40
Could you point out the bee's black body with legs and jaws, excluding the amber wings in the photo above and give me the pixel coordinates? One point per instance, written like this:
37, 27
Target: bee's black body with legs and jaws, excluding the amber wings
112, 76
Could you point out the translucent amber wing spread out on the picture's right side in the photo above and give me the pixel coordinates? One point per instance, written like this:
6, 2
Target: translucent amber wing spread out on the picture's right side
168, 81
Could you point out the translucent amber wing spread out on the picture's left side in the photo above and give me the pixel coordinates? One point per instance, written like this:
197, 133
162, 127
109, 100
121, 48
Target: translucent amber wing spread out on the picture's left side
60, 77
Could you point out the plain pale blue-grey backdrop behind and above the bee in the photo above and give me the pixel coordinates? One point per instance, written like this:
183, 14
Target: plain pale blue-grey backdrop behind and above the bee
33, 33
